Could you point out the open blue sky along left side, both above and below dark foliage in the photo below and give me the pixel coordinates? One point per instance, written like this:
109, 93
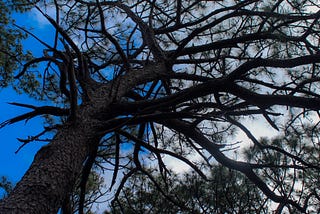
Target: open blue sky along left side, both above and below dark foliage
14, 165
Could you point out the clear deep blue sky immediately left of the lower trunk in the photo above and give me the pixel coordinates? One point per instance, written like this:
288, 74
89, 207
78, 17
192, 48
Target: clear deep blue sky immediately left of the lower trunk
14, 165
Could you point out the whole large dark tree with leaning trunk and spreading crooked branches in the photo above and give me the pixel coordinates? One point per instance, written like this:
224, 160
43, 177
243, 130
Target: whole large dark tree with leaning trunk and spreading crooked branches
134, 82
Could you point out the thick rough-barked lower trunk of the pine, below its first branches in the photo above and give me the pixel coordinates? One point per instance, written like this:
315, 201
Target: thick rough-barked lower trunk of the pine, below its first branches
53, 172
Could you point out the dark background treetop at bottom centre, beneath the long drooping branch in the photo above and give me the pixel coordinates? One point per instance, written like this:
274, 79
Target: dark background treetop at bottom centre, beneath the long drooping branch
225, 191
